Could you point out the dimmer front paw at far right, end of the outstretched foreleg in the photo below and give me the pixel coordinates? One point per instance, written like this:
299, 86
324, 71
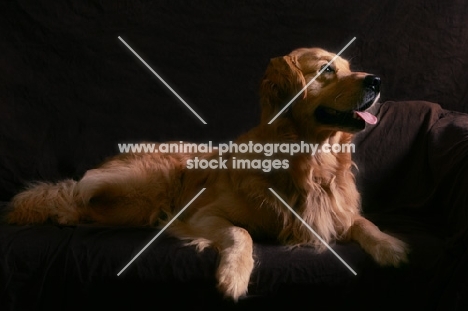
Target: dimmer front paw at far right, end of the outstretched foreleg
390, 251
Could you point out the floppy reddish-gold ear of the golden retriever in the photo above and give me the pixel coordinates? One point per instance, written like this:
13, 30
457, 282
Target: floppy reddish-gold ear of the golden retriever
282, 81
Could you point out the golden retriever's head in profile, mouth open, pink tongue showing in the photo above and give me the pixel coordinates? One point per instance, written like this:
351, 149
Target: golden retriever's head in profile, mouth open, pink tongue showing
336, 99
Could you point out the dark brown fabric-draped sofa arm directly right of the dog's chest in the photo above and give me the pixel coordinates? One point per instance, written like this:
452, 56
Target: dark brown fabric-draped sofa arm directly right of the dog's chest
392, 167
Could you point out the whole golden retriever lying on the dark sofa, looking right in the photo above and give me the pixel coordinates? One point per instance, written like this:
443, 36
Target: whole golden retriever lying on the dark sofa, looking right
148, 189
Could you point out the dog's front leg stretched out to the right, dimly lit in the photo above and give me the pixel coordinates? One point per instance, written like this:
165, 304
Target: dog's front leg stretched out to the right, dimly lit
385, 249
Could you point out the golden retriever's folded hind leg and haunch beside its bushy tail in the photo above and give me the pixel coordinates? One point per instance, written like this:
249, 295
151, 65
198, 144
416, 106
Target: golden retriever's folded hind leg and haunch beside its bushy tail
126, 195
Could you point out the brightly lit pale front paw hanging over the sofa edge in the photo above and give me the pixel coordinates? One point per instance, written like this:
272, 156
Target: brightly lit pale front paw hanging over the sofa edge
233, 276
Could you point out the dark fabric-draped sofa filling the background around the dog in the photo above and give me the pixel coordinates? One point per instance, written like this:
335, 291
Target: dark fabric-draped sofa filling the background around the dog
70, 91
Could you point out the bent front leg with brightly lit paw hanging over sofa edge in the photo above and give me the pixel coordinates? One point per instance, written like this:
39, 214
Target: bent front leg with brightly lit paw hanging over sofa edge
235, 248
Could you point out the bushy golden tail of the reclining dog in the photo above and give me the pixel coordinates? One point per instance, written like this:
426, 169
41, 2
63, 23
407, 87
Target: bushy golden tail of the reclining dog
42, 202
